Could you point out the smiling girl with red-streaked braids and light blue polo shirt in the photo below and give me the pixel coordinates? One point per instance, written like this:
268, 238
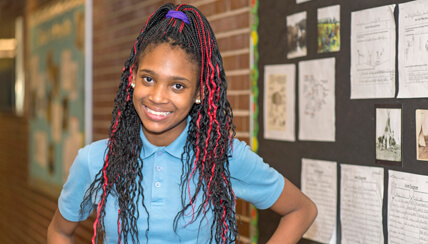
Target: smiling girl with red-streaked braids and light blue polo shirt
171, 169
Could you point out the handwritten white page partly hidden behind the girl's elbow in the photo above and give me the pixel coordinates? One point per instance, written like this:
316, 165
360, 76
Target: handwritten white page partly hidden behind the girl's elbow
319, 183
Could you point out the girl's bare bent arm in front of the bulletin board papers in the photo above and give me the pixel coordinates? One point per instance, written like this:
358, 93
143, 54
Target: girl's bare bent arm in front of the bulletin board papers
297, 211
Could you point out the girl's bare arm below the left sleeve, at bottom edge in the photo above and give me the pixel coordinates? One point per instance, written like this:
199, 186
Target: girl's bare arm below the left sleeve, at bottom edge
61, 230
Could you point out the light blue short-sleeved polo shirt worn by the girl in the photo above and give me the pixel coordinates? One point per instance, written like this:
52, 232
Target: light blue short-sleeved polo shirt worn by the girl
251, 179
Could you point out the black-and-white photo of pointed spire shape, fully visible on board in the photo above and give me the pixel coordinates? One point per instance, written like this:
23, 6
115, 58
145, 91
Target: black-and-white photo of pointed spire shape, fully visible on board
388, 134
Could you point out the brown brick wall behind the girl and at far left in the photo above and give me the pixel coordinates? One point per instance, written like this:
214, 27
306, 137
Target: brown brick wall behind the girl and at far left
25, 212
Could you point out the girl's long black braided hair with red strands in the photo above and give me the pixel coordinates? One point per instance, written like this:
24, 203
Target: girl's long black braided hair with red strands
208, 143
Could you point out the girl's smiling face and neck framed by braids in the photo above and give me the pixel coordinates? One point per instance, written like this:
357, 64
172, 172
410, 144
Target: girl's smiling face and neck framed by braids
166, 82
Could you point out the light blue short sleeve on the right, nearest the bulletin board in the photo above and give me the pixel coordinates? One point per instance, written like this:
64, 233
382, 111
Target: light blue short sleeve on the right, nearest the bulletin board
252, 179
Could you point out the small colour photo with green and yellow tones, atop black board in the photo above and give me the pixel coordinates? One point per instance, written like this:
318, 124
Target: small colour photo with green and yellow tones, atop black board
329, 29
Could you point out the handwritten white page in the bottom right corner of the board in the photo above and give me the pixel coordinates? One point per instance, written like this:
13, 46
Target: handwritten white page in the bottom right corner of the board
407, 208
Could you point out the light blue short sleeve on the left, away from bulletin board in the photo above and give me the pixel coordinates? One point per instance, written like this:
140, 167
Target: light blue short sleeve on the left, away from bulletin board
72, 194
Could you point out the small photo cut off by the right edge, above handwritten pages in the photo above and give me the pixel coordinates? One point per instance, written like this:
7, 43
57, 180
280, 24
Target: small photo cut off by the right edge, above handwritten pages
422, 134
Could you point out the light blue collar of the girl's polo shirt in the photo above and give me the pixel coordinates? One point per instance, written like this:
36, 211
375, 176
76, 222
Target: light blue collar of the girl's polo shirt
175, 148
